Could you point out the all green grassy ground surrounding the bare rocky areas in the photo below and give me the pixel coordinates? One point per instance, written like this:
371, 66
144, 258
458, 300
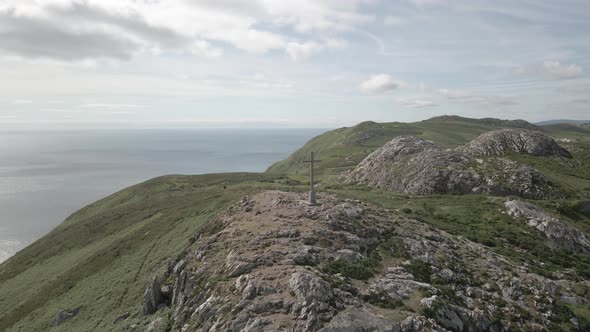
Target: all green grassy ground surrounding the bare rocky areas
101, 258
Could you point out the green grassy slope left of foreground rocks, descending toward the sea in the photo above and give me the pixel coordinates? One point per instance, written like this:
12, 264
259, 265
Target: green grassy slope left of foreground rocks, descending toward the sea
101, 258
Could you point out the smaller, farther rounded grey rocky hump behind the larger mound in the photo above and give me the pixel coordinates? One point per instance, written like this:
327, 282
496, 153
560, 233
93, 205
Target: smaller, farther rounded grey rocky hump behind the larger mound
507, 141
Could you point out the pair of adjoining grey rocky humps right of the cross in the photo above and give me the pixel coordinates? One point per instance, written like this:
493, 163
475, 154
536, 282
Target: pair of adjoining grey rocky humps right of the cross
413, 165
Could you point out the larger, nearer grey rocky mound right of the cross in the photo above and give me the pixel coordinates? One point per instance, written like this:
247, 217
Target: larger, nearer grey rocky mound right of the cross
416, 166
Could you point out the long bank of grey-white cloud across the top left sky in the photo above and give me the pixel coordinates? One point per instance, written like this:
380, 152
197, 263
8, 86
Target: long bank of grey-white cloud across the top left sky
72, 30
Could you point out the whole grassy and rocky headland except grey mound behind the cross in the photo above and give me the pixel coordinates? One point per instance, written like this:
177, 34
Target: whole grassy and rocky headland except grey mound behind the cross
240, 251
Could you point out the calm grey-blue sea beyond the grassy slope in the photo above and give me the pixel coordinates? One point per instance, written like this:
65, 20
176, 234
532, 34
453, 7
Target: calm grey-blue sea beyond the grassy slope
47, 175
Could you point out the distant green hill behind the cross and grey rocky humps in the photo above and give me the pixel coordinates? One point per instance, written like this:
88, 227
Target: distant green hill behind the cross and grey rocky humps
344, 148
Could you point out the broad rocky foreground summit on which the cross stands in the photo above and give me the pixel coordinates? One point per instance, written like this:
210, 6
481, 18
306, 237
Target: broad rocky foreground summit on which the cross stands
276, 264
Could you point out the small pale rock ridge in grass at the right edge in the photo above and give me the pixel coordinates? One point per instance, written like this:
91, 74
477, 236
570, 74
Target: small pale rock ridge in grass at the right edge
559, 233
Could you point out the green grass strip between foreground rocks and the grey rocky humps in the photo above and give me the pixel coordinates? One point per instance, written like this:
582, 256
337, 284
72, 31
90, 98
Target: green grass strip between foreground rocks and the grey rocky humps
481, 219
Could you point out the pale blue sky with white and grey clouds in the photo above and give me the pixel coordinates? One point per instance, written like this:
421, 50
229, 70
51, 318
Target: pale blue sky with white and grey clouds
289, 63
